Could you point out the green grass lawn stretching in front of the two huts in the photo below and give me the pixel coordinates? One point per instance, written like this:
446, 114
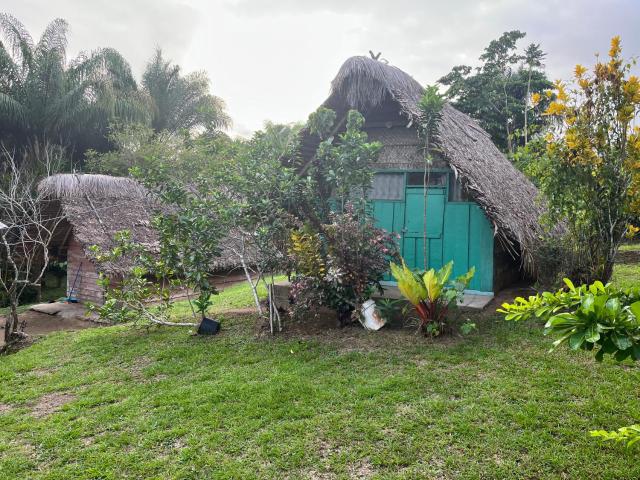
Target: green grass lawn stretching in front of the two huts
119, 402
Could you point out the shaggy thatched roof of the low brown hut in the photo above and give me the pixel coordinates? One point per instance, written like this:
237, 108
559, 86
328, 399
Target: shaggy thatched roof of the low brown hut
96, 207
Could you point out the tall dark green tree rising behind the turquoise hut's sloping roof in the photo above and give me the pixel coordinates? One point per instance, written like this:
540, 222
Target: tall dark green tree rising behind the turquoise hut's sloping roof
497, 93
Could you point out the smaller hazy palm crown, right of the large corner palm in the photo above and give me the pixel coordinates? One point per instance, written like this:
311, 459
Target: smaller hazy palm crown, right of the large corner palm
182, 102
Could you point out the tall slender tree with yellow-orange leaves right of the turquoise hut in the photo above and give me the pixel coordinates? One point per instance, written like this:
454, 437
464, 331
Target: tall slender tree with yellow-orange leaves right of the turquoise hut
591, 176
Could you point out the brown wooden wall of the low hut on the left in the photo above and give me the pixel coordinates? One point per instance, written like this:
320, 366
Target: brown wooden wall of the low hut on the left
82, 276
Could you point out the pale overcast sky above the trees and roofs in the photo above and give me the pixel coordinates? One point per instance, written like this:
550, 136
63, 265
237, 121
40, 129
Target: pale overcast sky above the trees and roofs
274, 60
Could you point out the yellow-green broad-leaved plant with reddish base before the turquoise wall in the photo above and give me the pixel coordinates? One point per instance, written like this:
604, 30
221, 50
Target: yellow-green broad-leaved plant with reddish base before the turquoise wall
431, 293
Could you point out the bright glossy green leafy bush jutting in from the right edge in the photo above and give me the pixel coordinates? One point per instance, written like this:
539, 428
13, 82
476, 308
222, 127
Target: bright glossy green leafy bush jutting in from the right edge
585, 317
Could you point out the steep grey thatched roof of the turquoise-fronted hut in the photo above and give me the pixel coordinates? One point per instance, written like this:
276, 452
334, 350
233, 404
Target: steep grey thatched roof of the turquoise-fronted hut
508, 198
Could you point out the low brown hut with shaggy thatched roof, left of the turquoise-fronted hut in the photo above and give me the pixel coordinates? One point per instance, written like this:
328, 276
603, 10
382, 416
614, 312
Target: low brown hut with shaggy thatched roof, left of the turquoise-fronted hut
95, 208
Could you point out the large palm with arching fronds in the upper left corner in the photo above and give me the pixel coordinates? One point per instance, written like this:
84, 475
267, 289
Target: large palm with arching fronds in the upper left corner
45, 99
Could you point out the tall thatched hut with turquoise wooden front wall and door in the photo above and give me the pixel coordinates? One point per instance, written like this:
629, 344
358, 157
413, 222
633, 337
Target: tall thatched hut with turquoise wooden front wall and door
481, 210
